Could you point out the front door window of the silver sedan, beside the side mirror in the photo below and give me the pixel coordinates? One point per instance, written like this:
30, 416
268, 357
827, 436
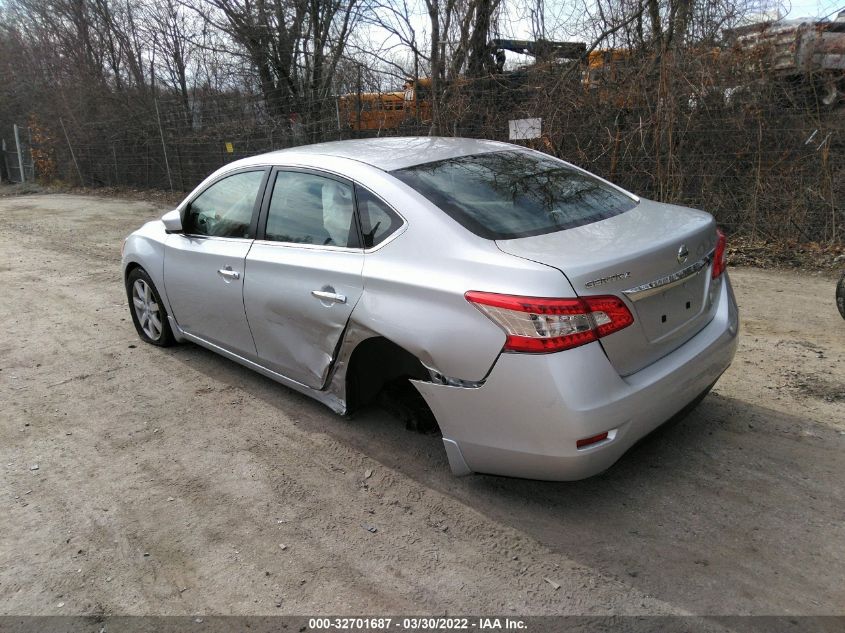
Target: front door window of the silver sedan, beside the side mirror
225, 208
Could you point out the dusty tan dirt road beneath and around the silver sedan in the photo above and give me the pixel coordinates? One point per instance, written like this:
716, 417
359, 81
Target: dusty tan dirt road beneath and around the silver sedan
137, 480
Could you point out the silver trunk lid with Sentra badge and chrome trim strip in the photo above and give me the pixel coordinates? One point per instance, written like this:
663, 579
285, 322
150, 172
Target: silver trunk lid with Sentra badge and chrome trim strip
642, 251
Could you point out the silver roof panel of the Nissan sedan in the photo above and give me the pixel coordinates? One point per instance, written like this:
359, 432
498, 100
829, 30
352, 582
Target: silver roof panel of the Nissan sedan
398, 152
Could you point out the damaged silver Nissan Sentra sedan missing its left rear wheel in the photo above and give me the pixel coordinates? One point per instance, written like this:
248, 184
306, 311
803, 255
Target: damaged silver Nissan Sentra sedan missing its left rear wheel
549, 318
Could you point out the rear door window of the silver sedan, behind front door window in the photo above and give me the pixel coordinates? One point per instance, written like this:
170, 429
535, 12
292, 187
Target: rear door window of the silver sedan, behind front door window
310, 209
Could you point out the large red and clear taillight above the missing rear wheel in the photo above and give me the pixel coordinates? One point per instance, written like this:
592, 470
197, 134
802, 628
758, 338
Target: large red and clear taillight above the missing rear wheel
538, 324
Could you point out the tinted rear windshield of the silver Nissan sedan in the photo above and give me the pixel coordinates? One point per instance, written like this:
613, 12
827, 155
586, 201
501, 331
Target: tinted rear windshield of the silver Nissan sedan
505, 195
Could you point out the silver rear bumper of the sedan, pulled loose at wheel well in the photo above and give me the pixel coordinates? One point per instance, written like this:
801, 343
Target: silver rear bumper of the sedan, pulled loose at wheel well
526, 418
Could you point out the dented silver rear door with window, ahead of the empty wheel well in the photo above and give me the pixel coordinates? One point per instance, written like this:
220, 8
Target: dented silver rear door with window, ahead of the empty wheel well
303, 273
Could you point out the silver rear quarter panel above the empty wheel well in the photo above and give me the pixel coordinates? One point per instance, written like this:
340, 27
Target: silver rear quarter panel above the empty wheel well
414, 293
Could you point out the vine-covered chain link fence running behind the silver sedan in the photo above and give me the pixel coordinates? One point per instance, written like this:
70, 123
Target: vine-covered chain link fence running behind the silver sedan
764, 167
